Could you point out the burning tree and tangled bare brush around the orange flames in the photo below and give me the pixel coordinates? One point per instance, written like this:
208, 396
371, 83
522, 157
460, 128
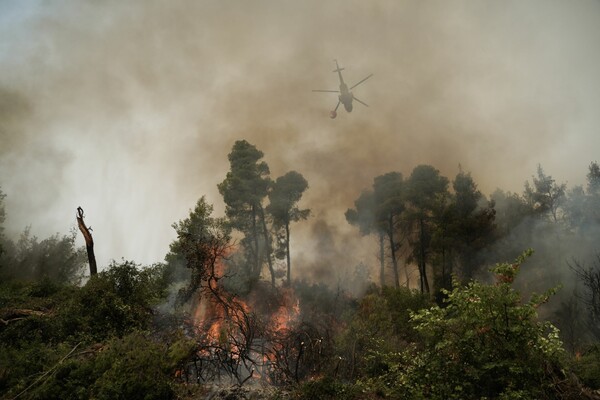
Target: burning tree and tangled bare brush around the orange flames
256, 336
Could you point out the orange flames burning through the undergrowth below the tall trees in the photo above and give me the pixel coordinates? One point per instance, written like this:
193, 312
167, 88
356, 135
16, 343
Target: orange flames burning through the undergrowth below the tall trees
249, 338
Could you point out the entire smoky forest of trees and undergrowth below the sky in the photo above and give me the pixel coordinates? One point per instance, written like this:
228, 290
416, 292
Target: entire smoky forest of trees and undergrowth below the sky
473, 297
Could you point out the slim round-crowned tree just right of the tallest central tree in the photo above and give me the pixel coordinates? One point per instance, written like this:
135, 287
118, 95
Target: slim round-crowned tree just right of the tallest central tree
284, 196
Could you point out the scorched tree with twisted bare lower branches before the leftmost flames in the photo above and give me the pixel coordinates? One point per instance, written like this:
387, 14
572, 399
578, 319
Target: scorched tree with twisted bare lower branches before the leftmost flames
227, 341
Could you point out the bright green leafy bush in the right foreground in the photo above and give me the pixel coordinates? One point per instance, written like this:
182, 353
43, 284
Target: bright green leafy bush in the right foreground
484, 343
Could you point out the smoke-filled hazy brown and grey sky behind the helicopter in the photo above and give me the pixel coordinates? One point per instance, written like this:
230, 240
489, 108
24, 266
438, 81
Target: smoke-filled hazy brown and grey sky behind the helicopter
129, 109
